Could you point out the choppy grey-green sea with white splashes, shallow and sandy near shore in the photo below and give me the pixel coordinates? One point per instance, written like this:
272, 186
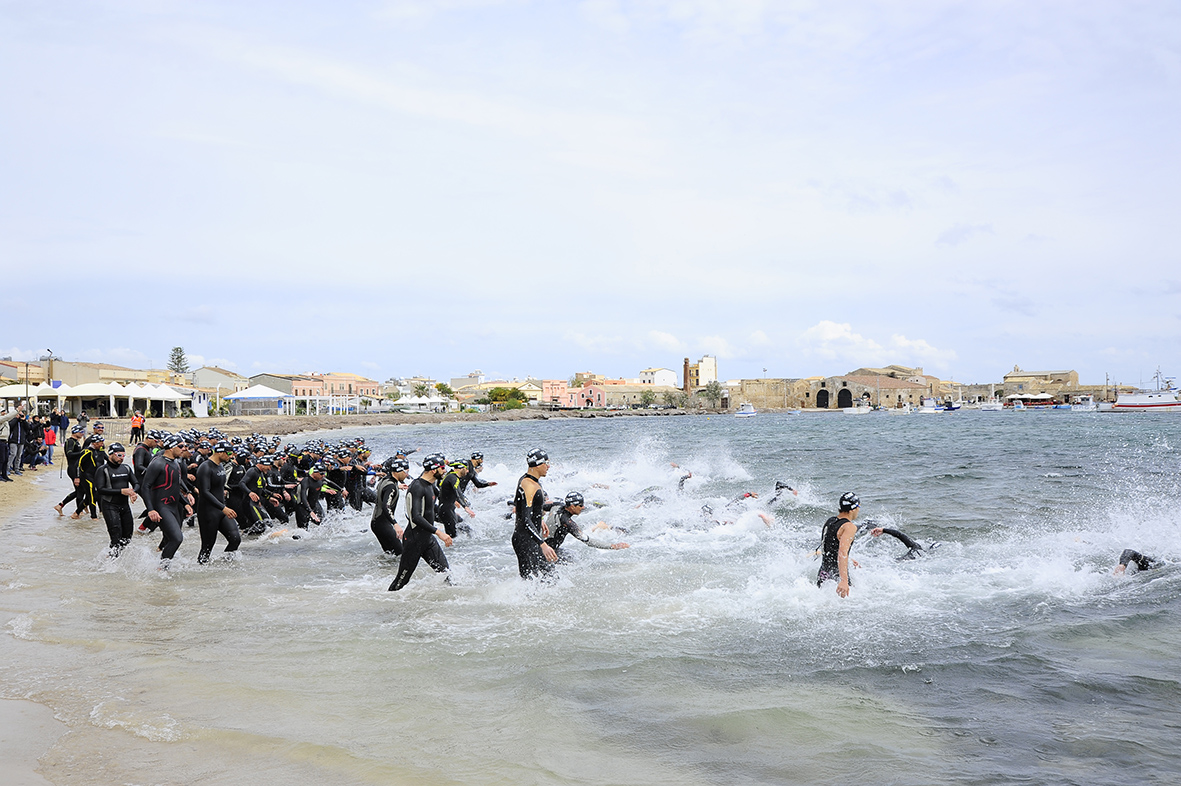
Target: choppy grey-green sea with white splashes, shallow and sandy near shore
702, 654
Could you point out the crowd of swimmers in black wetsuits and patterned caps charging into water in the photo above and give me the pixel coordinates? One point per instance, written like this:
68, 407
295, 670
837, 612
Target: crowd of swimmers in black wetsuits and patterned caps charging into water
231, 488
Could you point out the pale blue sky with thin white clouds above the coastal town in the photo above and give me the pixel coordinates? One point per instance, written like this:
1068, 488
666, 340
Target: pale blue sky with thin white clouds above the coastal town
532, 188
